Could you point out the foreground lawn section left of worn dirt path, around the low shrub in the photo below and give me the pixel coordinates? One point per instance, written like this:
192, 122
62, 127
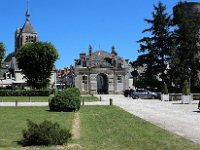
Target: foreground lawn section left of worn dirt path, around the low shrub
13, 121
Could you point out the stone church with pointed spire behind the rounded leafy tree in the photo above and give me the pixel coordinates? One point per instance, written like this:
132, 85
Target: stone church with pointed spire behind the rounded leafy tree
10, 74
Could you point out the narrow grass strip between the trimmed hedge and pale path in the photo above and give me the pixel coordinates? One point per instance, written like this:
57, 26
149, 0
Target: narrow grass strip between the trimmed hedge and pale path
25, 98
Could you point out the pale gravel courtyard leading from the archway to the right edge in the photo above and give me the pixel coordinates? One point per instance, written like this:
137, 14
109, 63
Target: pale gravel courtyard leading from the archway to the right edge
181, 119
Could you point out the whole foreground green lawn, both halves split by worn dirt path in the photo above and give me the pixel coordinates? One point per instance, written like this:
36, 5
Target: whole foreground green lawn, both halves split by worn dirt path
102, 128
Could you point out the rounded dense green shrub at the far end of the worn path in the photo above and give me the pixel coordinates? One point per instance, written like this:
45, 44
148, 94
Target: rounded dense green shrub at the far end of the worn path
67, 100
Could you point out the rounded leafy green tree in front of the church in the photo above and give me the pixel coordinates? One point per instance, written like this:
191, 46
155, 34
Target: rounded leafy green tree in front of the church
37, 61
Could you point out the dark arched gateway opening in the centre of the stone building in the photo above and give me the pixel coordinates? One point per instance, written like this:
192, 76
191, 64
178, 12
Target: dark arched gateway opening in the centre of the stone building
102, 83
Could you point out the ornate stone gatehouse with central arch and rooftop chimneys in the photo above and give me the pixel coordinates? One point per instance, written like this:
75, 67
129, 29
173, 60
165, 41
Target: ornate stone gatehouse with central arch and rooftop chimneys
101, 72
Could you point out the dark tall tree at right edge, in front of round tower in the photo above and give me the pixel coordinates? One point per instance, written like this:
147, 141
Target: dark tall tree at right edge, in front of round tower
185, 63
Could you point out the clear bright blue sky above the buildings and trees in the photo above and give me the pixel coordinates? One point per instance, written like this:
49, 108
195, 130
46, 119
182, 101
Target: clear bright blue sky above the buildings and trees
71, 25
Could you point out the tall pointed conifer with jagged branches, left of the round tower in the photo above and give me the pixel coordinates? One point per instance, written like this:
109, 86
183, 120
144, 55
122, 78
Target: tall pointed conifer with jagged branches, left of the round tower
156, 49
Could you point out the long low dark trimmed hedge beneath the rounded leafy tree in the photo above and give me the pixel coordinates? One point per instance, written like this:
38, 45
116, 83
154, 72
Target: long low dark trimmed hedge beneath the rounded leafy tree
25, 92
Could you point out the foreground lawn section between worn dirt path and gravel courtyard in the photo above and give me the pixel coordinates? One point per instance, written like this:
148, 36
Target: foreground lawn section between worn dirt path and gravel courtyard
111, 128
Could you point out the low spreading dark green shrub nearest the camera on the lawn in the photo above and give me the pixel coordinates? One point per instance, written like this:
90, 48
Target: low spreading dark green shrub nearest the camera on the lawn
45, 133
